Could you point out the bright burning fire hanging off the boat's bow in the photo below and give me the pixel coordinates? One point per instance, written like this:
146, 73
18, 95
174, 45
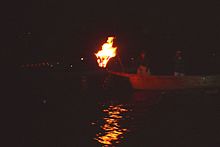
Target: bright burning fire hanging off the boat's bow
106, 53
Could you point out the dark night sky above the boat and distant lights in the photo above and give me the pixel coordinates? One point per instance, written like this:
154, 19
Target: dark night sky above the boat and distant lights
68, 29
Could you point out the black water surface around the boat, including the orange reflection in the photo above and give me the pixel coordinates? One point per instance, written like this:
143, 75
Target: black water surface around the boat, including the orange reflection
52, 109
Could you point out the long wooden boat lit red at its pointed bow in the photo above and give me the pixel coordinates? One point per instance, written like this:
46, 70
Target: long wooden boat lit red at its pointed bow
152, 82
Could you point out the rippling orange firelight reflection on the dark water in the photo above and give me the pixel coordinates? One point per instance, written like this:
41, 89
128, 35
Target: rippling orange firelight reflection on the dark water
112, 129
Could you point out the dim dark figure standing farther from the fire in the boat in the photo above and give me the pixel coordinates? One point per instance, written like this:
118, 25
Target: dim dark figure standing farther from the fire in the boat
179, 64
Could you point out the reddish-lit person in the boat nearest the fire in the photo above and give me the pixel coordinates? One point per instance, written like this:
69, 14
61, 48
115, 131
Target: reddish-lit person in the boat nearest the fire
143, 64
